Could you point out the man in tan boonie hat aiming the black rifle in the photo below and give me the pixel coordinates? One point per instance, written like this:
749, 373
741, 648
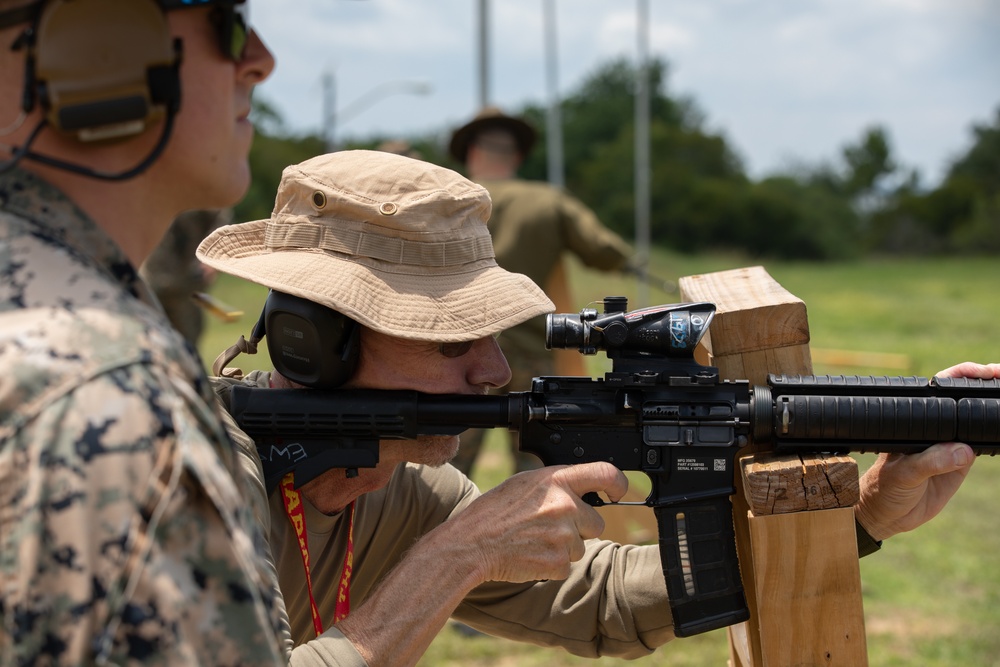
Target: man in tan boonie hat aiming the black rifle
395, 254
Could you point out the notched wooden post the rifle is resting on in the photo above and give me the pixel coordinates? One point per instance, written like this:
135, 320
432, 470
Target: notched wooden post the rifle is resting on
800, 569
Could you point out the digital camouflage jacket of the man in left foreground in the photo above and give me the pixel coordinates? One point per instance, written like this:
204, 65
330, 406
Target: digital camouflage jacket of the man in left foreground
124, 535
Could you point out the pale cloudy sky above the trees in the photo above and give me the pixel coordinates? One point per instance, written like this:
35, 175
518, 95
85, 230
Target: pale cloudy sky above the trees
783, 80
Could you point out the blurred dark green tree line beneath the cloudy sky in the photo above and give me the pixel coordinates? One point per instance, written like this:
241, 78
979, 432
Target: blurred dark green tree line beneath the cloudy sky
863, 202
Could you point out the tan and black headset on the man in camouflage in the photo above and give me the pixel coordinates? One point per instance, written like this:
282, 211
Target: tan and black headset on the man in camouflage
100, 70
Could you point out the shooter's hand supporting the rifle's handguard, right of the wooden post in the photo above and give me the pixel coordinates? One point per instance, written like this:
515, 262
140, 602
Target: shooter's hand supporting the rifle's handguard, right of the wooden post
901, 492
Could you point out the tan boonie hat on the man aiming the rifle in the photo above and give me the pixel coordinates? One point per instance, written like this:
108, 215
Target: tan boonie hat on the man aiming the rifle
397, 244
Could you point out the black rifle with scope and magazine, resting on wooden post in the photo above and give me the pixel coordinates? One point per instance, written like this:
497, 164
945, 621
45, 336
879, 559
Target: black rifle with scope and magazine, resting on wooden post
657, 411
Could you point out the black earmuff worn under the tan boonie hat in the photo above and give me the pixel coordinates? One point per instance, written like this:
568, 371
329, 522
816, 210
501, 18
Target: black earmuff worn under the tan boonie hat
309, 343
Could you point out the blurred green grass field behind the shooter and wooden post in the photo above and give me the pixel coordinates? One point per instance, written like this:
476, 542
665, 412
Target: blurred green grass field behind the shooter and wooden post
932, 597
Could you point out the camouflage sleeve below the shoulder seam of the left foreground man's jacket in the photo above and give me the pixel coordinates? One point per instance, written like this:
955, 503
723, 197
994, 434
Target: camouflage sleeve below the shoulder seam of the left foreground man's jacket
123, 539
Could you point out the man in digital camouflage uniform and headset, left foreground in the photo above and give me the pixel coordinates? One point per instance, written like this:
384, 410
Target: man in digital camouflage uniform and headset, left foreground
124, 534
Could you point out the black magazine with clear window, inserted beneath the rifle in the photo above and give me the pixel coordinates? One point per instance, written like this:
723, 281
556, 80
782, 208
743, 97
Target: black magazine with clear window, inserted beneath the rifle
698, 553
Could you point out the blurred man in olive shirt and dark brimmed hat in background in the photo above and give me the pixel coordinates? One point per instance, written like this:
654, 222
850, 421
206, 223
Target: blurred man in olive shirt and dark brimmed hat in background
533, 225
